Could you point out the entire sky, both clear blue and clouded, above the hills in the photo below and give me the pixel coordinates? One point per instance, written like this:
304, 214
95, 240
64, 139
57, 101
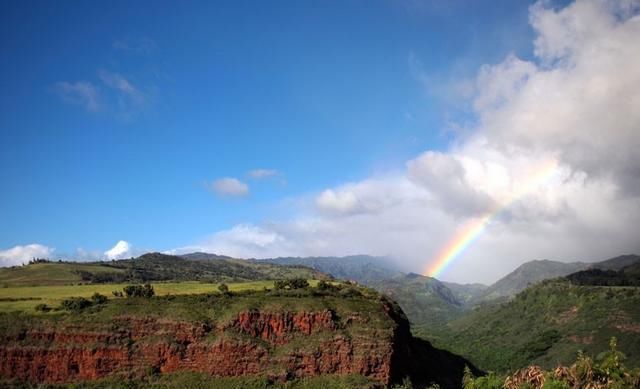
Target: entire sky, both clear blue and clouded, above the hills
261, 129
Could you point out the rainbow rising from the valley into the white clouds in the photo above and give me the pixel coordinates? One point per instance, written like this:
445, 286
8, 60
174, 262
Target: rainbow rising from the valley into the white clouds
473, 229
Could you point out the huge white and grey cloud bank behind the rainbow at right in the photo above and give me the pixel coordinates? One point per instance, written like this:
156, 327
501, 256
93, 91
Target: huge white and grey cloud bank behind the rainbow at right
574, 108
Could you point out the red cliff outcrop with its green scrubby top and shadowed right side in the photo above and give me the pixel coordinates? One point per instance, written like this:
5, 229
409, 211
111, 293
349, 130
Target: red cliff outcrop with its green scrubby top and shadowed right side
367, 336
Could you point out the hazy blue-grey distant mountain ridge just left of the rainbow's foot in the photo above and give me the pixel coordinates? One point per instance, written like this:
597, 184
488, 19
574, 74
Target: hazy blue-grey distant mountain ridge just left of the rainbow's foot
364, 269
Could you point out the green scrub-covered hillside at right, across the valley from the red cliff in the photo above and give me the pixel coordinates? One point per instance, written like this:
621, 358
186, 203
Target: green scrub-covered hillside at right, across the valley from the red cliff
547, 324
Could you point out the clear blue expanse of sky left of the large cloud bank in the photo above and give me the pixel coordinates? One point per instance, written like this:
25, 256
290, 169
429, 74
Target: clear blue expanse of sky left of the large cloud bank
324, 92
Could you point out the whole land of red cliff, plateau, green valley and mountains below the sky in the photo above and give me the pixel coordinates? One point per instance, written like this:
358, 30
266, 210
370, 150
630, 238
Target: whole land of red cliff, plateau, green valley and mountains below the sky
306, 331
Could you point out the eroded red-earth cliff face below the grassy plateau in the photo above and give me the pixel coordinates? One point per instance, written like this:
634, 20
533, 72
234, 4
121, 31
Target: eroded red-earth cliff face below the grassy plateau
277, 344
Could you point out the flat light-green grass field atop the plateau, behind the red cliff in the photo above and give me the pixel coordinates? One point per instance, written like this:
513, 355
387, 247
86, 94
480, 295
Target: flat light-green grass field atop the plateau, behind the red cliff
25, 298
